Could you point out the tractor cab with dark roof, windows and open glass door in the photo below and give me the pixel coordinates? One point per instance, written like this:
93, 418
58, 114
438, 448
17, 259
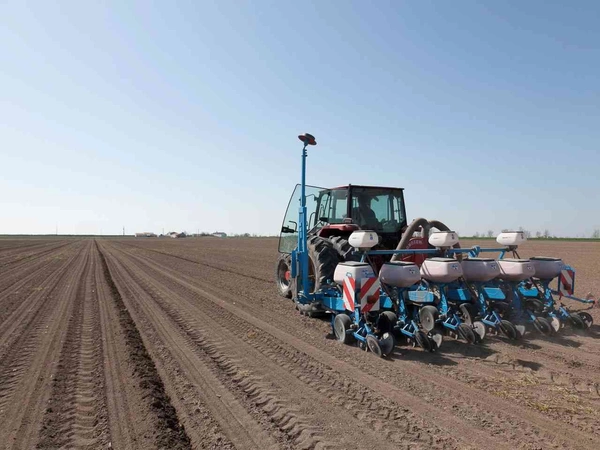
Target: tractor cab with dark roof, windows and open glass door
339, 211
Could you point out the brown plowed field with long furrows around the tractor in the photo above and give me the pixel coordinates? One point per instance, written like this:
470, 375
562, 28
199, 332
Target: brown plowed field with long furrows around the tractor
165, 343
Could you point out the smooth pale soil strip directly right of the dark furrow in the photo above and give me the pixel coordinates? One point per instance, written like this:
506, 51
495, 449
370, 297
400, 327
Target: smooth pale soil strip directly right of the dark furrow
231, 424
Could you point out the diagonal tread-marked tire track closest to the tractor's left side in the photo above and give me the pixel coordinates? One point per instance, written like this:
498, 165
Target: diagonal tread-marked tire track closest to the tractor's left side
408, 421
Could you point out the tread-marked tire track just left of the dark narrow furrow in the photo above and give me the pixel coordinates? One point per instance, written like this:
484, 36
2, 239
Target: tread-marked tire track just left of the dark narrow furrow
76, 415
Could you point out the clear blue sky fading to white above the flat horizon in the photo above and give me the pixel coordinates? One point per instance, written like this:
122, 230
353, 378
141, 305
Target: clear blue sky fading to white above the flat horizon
184, 115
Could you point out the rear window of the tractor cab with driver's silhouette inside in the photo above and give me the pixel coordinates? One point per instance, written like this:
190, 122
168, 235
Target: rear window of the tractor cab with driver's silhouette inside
379, 209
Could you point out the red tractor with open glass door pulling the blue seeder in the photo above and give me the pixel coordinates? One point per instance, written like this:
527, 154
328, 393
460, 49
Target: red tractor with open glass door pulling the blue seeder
332, 215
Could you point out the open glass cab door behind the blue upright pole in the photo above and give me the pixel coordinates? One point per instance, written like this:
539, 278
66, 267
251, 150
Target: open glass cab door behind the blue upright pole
288, 239
